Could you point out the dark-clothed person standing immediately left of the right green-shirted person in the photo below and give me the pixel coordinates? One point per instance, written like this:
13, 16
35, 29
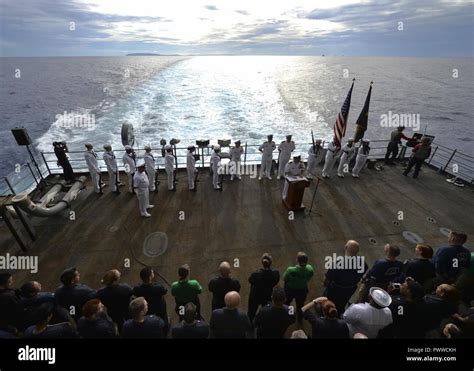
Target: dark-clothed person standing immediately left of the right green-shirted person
262, 282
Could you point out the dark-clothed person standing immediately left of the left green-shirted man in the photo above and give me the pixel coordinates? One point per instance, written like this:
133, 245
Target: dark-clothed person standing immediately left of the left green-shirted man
153, 293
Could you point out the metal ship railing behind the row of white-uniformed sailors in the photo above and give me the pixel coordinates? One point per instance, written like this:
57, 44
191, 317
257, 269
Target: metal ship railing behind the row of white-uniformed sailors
26, 177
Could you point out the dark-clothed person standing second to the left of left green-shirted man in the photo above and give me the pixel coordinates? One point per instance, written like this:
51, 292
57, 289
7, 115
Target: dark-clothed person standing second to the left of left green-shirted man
116, 297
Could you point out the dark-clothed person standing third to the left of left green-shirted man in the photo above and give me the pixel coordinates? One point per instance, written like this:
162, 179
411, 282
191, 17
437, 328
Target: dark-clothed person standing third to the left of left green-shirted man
72, 295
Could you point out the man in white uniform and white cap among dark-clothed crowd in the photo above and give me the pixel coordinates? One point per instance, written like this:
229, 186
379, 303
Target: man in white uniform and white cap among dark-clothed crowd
369, 318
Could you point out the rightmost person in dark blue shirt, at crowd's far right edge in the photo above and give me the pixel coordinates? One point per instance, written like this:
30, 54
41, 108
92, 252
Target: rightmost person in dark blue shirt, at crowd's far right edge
452, 259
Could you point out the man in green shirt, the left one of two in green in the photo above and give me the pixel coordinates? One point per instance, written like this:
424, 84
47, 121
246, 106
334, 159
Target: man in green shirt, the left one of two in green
186, 291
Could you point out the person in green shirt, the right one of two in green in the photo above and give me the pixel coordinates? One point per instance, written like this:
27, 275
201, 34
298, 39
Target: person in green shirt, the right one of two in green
296, 282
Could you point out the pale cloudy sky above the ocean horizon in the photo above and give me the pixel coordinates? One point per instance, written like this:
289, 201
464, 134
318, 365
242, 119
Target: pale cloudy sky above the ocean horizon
421, 28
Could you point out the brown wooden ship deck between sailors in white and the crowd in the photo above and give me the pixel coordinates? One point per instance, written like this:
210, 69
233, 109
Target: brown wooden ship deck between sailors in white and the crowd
242, 222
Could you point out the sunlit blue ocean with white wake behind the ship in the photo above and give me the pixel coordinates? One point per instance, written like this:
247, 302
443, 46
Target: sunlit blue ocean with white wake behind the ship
219, 97
